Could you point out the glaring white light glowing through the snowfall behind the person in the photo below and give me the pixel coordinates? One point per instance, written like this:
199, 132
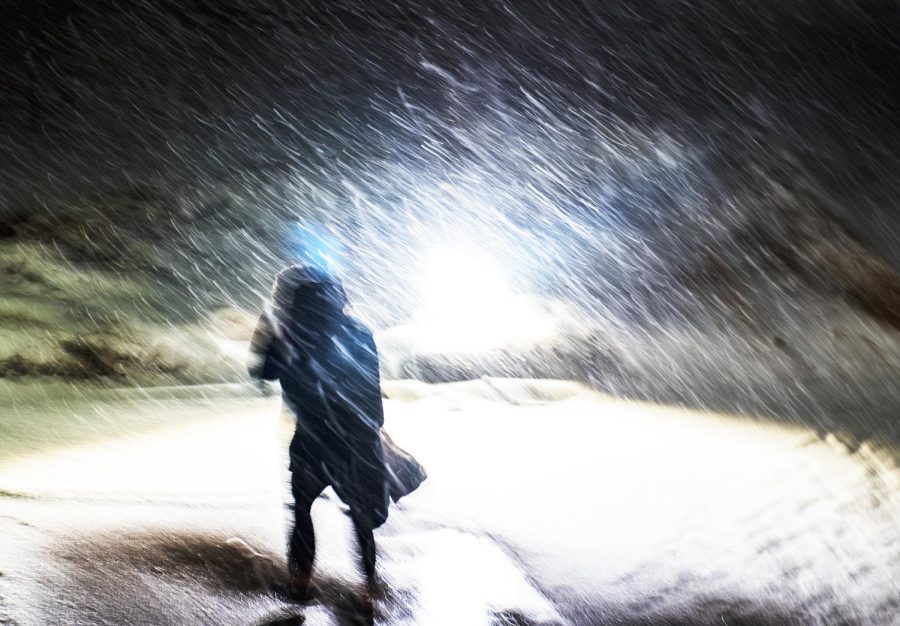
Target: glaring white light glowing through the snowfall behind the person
468, 306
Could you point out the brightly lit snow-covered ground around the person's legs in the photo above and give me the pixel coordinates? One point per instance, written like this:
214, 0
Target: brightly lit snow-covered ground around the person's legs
546, 503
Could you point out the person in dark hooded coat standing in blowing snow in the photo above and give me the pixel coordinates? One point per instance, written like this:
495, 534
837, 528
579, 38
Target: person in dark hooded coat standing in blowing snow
327, 364
